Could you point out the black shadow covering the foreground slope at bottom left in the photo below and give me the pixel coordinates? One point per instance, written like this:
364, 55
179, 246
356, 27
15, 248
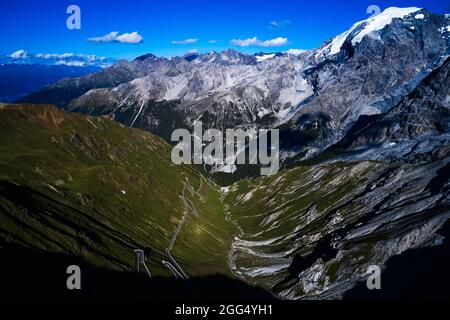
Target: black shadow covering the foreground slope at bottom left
30, 275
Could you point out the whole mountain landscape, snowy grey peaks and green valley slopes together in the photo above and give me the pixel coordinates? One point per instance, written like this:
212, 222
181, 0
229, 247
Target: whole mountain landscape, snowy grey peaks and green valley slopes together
364, 126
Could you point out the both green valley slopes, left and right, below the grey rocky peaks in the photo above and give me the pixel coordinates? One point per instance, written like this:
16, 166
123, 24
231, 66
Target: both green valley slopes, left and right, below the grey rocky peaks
92, 189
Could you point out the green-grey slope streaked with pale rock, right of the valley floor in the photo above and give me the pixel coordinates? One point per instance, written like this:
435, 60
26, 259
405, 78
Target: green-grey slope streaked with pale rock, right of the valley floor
312, 232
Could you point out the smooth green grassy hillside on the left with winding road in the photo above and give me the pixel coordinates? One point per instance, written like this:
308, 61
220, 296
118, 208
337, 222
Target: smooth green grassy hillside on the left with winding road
93, 188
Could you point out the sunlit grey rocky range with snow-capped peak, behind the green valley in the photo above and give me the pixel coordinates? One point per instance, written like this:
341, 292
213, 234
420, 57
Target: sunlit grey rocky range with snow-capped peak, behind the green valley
315, 97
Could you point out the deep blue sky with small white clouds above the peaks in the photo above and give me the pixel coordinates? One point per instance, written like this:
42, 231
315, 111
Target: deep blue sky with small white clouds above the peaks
40, 26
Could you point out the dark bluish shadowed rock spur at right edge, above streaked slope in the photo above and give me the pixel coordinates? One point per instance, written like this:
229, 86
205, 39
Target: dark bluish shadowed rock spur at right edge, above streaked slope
415, 130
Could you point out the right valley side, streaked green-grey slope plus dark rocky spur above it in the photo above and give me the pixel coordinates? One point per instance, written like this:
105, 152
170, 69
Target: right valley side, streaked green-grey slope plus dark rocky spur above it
312, 232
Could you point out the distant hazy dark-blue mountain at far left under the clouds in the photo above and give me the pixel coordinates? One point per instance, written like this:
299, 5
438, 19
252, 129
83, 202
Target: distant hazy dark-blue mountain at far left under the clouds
18, 80
